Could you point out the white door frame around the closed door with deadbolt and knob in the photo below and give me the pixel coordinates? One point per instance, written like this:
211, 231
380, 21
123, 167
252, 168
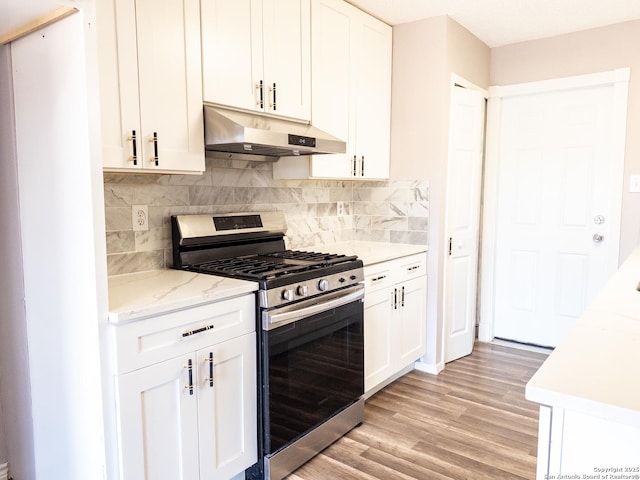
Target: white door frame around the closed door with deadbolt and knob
619, 78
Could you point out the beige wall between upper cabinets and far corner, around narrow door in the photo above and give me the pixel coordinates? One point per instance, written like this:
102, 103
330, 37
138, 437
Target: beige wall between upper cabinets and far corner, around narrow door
425, 54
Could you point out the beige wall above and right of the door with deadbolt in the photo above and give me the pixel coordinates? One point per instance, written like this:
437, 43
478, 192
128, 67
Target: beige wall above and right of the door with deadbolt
589, 51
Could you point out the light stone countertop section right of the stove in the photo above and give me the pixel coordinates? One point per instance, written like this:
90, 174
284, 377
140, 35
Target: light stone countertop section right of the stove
370, 252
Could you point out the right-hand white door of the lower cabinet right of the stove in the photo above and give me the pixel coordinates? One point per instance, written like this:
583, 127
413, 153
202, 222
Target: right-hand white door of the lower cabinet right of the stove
411, 320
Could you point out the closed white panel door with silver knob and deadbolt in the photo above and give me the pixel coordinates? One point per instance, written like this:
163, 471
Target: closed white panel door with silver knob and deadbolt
557, 228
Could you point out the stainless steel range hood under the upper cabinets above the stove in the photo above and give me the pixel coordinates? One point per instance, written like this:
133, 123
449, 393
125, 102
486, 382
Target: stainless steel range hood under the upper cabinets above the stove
234, 131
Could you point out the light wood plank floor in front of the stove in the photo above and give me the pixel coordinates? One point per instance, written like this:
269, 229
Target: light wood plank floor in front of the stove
470, 422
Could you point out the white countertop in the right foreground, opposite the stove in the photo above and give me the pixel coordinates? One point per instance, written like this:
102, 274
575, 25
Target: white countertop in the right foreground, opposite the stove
595, 369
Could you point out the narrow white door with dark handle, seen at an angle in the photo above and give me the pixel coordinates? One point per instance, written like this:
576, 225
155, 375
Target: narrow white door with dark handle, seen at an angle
464, 179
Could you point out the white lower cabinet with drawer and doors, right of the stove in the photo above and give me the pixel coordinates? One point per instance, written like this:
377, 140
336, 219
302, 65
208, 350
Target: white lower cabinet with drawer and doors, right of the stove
394, 318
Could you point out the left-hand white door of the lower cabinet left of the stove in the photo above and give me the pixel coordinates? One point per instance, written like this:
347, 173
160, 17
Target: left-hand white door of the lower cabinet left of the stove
158, 422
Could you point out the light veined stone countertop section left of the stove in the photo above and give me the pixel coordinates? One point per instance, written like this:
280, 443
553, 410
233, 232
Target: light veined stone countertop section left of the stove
139, 295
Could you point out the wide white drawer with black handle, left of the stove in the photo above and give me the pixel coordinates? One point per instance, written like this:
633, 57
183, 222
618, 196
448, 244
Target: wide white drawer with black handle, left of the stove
156, 339
